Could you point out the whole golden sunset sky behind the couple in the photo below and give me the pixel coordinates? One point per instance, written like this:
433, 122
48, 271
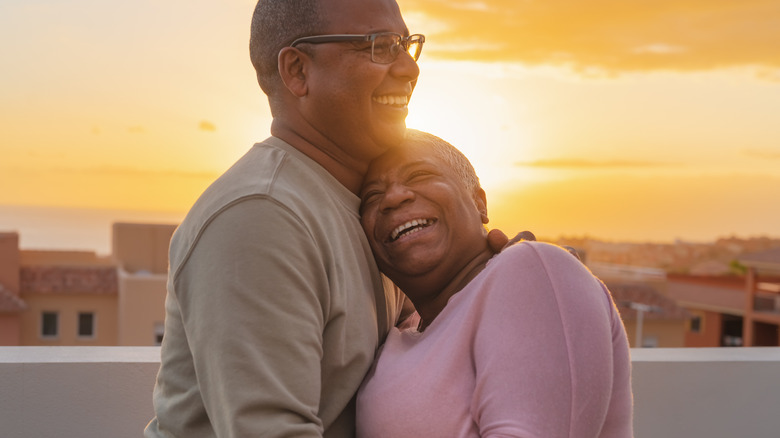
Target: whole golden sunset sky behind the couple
621, 120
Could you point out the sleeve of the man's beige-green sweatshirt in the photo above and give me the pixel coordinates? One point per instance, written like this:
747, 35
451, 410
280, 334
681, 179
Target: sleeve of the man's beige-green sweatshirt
253, 298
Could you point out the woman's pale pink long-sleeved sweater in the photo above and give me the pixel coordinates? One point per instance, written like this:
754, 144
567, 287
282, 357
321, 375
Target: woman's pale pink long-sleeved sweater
533, 347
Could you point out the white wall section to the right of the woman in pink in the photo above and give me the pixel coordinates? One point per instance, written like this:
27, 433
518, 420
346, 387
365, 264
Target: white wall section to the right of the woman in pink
706, 392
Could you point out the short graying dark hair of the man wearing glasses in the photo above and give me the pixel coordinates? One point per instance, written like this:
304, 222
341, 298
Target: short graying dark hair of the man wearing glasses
275, 24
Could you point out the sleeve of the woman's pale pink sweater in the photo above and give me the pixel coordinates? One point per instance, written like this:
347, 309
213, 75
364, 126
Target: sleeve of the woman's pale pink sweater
546, 350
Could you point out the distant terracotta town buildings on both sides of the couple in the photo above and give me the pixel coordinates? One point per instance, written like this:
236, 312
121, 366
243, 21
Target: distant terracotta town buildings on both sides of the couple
682, 294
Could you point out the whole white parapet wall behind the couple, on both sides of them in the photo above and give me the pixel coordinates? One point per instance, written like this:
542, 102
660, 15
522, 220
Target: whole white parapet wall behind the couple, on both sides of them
105, 392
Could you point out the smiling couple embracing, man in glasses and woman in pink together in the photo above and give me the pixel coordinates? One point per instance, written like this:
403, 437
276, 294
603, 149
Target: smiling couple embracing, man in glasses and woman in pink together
278, 320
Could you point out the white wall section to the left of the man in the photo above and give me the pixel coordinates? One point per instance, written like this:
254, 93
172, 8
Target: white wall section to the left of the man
69, 392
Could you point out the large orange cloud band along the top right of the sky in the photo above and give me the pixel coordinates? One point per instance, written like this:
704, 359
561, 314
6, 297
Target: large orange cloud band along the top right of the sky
607, 35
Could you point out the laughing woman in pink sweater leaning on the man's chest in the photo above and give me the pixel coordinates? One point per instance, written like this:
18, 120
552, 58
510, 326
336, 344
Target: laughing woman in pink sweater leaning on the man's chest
526, 343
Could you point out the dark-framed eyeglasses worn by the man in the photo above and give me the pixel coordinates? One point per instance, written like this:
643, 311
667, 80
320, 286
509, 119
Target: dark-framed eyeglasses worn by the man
385, 46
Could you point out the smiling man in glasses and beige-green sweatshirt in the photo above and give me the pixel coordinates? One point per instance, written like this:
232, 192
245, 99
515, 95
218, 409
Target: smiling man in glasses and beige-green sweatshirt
275, 306
